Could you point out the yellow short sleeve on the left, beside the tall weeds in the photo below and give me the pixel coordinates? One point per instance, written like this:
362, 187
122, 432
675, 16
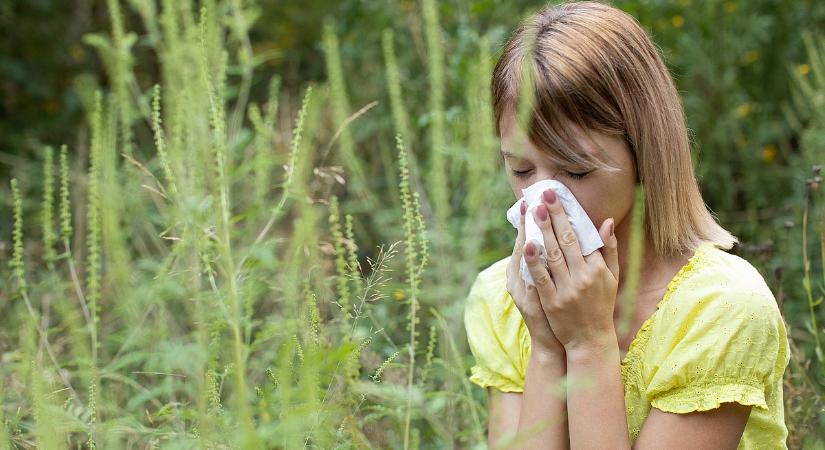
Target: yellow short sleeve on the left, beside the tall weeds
495, 332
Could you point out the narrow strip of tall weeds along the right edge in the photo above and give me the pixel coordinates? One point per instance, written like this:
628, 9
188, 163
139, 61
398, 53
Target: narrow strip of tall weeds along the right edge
805, 378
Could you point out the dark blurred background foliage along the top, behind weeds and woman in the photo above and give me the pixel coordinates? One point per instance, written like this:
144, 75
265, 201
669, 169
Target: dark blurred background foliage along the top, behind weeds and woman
732, 61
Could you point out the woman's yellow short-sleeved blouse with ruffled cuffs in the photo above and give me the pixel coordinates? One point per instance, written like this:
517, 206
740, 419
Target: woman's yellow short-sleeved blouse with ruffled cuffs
716, 336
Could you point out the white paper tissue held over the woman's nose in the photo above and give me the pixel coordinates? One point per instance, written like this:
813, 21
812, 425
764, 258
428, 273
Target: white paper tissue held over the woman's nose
586, 232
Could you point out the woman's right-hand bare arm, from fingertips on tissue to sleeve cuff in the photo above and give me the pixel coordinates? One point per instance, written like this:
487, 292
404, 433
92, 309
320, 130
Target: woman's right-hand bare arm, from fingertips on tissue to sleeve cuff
579, 306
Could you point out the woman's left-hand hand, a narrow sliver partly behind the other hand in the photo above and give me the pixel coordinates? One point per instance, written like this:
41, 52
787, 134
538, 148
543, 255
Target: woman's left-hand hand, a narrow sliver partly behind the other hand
528, 303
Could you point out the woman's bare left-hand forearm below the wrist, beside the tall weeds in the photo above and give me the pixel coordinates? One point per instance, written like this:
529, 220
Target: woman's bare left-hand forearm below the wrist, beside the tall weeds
539, 414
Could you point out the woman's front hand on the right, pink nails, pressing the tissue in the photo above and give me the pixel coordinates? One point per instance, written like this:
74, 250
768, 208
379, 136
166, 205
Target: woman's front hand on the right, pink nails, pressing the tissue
578, 293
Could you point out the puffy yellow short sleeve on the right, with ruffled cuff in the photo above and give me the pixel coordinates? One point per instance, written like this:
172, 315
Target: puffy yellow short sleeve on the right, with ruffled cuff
713, 346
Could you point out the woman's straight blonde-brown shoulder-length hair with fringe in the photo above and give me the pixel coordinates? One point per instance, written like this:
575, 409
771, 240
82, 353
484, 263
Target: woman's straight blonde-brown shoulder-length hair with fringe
593, 65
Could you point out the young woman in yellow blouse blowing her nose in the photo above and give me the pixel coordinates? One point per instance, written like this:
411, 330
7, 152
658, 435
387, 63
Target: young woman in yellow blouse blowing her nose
701, 363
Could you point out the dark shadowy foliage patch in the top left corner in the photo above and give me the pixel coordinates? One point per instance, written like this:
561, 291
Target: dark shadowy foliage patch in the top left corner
41, 55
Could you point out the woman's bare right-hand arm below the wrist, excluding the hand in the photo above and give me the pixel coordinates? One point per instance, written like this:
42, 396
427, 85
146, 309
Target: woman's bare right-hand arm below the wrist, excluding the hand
603, 403
